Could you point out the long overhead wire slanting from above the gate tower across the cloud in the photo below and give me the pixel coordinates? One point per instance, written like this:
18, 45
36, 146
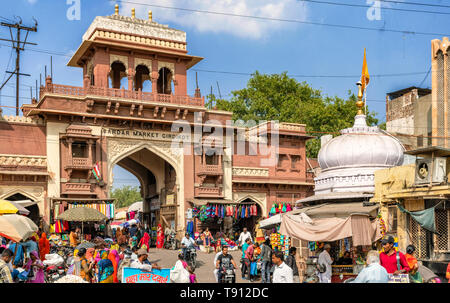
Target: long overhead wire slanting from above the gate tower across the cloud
289, 20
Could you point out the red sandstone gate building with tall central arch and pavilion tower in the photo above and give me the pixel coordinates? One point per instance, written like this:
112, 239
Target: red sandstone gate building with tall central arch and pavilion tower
134, 89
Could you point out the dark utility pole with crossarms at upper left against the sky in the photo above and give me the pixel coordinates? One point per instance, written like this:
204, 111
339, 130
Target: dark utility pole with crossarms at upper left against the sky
16, 44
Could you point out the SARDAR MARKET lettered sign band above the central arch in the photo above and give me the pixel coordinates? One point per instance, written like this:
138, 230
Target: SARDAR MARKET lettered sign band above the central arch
141, 134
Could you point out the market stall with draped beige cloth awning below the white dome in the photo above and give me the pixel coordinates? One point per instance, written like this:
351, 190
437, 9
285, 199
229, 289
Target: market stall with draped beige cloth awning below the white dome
347, 227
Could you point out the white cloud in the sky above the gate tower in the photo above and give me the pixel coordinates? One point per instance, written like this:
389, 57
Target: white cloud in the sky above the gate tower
238, 26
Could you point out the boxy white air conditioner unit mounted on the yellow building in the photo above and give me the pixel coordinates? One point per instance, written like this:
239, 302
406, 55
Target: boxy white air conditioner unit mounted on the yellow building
427, 169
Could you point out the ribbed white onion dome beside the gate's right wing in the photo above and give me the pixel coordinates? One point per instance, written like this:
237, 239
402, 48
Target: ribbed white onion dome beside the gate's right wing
348, 162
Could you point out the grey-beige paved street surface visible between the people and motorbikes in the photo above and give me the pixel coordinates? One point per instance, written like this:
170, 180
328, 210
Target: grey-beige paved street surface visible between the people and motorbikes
204, 271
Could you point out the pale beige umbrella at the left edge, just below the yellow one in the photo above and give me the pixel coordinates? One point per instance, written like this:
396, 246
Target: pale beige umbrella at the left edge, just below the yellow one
17, 227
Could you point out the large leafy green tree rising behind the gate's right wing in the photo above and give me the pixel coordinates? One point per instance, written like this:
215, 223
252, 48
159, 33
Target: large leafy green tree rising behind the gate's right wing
279, 97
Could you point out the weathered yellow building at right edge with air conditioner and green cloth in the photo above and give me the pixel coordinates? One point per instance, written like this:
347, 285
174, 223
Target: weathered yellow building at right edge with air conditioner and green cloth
418, 186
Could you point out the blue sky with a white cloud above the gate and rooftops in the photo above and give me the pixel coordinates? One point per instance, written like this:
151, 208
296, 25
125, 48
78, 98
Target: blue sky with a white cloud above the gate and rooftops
236, 44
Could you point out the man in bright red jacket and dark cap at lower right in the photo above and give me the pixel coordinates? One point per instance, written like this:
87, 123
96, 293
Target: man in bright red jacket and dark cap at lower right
394, 262
